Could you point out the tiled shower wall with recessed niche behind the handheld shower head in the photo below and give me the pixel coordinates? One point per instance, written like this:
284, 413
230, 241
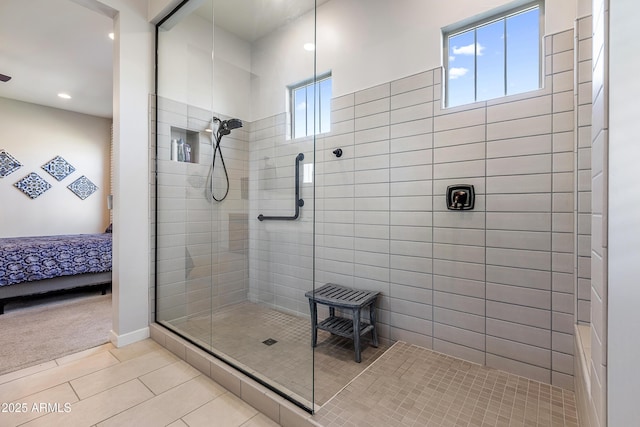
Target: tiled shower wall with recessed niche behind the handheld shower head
202, 245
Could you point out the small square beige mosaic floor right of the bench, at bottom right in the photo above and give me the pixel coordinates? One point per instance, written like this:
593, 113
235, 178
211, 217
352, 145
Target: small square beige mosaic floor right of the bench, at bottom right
414, 386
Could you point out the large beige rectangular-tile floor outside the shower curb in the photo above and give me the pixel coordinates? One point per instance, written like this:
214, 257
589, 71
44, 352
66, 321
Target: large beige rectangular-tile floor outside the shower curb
139, 385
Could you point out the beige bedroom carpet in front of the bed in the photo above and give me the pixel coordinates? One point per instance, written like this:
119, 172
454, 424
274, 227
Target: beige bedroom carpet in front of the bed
34, 333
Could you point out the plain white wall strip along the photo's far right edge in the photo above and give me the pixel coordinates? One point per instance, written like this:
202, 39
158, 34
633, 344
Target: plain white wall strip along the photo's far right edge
624, 216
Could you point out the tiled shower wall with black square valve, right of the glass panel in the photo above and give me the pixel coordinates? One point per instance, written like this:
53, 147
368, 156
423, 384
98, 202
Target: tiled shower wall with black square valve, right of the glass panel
494, 285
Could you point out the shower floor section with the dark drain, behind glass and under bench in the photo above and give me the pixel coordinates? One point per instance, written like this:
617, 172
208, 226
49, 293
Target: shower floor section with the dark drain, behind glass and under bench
239, 335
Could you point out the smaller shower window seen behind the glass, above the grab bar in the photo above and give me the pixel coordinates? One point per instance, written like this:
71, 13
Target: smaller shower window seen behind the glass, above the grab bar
311, 105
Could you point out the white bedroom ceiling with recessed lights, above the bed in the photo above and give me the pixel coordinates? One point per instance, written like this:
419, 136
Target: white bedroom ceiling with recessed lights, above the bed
52, 46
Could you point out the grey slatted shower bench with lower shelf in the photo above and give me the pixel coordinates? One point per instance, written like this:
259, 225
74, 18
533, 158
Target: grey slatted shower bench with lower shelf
336, 296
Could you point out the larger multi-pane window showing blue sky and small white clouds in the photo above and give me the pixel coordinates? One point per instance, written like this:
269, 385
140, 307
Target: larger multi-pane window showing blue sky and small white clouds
495, 57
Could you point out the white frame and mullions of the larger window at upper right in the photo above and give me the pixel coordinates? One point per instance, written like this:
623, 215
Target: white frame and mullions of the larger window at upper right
494, 16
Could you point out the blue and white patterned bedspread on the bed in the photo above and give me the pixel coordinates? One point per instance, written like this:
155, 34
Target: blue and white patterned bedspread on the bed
25, 259
